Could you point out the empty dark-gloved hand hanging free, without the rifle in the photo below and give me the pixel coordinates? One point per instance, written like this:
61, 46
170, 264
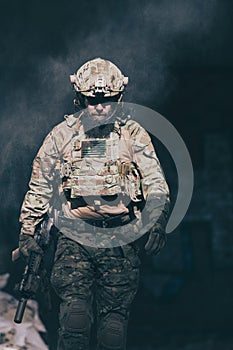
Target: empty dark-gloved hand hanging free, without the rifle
157, 239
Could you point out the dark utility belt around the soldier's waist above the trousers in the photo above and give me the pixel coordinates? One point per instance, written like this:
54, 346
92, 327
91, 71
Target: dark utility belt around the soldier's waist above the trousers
84, 224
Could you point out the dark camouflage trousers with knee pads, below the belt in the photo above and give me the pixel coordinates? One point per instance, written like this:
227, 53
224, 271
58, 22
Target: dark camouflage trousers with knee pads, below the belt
110, 277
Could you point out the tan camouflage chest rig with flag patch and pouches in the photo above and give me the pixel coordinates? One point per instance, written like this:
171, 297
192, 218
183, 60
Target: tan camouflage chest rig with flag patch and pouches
100, 166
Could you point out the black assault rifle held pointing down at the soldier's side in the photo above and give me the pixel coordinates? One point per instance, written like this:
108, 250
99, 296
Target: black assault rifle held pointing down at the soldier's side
34, 271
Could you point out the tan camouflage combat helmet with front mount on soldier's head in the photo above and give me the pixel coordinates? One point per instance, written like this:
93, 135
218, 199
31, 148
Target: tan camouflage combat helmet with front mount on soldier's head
99, 76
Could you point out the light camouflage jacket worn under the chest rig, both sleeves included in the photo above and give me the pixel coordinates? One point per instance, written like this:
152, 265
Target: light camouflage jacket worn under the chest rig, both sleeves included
44, 184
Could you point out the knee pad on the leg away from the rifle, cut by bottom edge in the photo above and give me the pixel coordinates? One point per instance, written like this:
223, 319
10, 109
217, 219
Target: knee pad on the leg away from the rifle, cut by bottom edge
112, 332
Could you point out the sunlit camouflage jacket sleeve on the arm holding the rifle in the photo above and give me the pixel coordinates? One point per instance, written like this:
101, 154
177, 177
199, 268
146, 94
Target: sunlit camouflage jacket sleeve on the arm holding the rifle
36, 201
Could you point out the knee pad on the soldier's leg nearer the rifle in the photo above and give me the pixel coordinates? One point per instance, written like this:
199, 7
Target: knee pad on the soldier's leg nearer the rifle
77, 317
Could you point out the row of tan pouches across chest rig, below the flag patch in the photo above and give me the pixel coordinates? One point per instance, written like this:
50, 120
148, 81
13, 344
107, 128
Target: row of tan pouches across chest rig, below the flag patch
111, 179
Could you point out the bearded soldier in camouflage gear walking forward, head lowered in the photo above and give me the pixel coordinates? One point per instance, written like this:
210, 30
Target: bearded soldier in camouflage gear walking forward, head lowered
102, 170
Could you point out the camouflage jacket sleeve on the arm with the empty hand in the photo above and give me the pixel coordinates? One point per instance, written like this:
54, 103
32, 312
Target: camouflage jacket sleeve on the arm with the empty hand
154, 186
